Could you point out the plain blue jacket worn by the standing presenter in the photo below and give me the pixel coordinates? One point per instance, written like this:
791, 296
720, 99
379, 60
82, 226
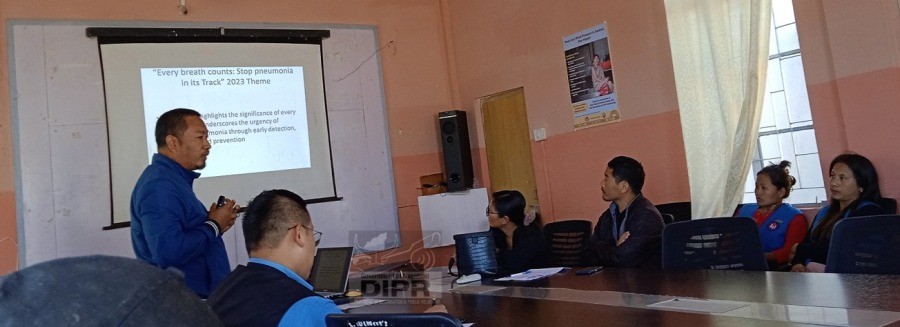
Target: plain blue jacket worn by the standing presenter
168, 230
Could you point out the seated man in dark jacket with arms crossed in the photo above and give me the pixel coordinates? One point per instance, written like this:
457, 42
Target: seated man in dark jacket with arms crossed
629, 233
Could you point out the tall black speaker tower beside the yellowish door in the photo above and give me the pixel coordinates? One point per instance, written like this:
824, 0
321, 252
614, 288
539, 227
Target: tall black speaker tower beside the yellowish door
457, 152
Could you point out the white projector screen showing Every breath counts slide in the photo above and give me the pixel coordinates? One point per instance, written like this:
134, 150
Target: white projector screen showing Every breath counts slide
263, 103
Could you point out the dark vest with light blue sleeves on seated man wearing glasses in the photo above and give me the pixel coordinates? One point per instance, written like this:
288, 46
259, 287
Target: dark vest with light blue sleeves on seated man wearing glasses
265, 293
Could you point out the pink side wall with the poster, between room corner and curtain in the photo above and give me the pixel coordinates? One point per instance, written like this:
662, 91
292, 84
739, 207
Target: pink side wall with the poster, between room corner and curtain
498, 47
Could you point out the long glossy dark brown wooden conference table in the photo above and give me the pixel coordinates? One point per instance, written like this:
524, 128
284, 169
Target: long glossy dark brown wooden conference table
622, 297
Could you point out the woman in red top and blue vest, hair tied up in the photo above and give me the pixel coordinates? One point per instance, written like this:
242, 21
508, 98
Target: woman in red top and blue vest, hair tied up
780, 224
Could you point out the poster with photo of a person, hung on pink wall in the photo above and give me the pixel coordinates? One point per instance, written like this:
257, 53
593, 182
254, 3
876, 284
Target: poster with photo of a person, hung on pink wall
591, 84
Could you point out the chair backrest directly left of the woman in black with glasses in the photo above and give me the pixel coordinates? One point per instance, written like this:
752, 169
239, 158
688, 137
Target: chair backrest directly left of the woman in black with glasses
476, 253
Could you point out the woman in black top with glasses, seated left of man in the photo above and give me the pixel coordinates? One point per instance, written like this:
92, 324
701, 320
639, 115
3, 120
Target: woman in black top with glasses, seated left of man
517, 234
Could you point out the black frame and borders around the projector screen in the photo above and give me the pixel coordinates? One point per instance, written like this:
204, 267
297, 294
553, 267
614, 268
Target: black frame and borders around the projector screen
116, 35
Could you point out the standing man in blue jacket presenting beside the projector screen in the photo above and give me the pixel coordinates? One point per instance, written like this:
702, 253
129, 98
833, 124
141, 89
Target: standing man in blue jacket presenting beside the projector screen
170, 227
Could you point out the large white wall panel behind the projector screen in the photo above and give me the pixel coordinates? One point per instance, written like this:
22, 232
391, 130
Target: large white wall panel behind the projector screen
61, 144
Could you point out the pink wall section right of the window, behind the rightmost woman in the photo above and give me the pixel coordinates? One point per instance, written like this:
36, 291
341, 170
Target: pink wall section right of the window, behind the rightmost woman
851, 57
